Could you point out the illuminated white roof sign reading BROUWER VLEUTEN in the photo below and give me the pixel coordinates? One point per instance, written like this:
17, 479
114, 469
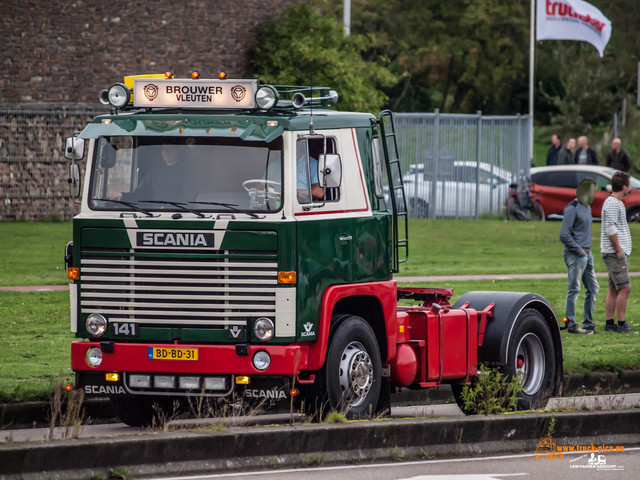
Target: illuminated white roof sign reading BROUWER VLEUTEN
217, 94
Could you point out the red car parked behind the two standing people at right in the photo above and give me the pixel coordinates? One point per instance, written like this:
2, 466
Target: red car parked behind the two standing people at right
555, 186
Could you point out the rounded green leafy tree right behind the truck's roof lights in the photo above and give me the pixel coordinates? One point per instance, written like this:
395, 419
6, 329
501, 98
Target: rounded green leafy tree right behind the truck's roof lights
304, 47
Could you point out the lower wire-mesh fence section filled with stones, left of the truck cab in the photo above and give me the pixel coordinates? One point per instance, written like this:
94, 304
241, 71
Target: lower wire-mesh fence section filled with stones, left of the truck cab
33, 171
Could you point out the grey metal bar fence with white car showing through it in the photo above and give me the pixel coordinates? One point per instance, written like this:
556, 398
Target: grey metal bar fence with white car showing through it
458, 166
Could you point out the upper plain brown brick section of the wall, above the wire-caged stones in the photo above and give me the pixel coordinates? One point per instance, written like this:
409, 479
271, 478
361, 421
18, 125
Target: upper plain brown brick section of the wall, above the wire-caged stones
67, 51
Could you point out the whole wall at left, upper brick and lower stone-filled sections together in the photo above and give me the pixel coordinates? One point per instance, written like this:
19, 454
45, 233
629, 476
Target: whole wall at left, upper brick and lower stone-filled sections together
66, 52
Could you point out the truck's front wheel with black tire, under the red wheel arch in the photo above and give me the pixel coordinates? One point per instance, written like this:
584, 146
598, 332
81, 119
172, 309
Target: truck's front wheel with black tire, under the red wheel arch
353, 370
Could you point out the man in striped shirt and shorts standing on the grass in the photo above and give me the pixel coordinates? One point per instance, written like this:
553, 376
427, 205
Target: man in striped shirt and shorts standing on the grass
615, 248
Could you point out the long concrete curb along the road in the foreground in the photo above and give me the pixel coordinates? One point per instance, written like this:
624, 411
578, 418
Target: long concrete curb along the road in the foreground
308, 445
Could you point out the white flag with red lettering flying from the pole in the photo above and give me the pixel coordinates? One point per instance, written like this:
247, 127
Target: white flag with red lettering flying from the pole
572, 20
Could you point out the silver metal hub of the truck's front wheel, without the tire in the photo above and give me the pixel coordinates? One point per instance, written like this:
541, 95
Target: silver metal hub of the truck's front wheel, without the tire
356, 373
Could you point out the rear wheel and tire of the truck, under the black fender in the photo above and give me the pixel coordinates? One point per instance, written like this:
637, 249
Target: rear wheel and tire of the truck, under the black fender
531, 357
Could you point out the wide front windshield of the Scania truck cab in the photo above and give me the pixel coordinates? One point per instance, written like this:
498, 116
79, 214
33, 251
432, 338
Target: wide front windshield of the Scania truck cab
171, 173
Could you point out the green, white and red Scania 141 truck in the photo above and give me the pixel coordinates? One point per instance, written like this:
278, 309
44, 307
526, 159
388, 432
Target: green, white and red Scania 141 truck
240, 239
